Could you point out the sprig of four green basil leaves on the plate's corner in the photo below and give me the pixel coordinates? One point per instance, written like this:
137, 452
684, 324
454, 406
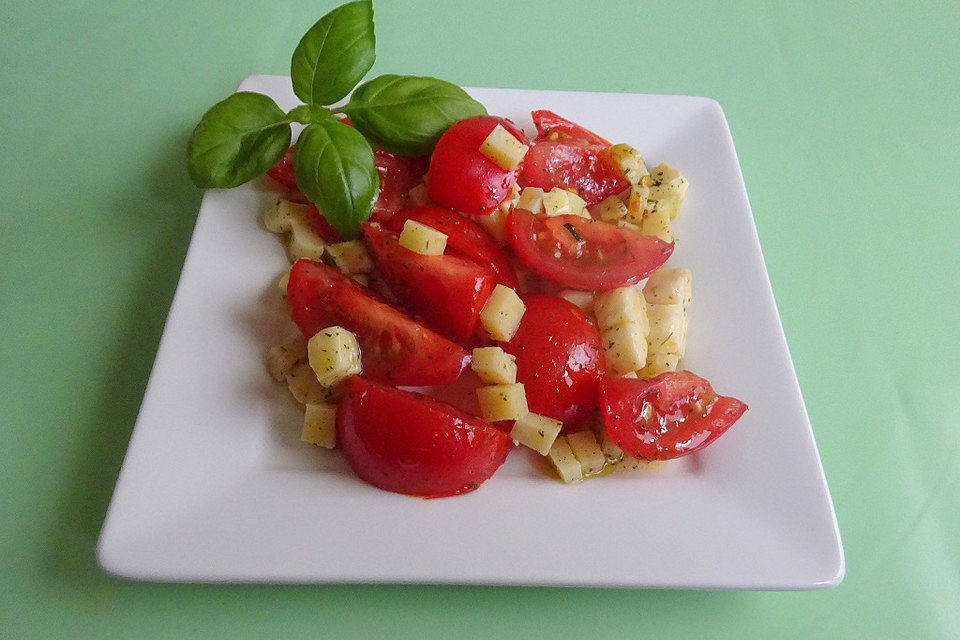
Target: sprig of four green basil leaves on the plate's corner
241, 137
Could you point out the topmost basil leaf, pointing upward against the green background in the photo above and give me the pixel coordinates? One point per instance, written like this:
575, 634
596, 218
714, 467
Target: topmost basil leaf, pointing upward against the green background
334, 55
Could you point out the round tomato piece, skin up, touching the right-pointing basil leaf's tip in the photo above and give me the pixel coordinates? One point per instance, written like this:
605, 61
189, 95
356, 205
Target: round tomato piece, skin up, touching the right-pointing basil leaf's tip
463, 179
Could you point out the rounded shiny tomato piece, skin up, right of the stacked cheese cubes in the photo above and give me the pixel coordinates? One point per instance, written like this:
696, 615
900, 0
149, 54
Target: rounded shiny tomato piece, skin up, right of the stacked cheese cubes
559, 358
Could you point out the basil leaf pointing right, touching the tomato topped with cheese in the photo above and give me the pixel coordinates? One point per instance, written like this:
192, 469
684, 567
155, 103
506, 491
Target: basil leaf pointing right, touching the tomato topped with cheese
408, 114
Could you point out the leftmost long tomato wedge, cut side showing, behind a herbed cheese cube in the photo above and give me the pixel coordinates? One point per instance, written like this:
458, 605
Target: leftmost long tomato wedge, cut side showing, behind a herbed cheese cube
393, 347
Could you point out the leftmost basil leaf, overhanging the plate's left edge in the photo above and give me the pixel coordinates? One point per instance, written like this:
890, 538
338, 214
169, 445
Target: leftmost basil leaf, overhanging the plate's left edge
237, 140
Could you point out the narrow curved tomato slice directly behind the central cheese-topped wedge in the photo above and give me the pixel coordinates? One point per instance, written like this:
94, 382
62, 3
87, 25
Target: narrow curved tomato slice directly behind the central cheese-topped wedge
464, 236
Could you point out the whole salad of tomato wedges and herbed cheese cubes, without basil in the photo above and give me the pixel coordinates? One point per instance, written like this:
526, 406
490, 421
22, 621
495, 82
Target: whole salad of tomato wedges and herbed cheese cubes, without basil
529, 270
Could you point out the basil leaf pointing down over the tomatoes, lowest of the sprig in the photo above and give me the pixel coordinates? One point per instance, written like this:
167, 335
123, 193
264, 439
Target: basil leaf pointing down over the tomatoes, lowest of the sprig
335, 169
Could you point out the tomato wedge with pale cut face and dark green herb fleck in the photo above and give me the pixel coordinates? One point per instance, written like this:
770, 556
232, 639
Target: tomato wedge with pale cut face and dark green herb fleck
582, 253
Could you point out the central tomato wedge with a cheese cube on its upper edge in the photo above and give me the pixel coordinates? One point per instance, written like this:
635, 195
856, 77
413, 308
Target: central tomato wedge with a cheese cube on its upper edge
447, 291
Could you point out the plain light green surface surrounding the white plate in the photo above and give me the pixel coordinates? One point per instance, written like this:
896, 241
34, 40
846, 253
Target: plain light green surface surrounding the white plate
845, 117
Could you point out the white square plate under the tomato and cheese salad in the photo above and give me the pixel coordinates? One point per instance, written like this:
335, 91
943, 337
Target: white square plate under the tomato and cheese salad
217, 487
